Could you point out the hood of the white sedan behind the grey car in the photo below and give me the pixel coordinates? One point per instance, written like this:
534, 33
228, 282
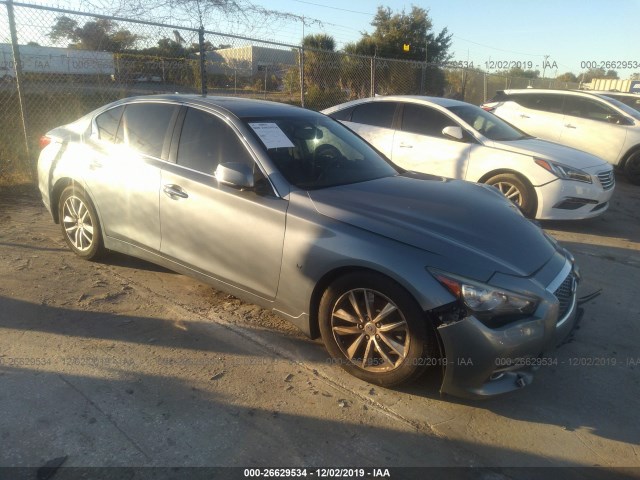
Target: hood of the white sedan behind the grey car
550, 151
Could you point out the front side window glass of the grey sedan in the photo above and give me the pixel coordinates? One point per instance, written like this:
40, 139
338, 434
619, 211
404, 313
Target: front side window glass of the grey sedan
206, 141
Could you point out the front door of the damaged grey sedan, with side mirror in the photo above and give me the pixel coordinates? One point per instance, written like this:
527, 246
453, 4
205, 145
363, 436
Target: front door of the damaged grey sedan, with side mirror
232, 235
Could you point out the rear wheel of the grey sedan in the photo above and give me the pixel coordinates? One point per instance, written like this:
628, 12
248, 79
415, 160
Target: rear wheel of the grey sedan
80, 224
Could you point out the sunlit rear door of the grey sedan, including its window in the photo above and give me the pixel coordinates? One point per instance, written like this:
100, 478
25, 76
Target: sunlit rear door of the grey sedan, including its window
129, 145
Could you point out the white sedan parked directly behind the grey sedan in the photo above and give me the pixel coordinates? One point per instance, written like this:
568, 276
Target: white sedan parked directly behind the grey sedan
459, 140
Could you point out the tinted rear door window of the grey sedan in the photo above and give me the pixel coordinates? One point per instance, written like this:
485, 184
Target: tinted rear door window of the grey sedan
144, 127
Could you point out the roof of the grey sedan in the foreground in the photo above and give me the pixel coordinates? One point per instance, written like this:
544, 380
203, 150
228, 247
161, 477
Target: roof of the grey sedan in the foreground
240, 107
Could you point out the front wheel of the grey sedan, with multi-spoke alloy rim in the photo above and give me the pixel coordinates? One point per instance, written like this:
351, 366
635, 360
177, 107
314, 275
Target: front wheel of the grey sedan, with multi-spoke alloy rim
375, 330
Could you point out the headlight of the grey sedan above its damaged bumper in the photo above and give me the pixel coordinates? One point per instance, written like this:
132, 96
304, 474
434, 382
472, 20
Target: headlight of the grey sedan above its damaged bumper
485, 301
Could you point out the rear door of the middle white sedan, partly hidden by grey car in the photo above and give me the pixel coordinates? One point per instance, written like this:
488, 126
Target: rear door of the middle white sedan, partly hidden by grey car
374, 121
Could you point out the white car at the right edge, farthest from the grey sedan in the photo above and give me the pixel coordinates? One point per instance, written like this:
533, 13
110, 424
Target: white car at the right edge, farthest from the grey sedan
594, 122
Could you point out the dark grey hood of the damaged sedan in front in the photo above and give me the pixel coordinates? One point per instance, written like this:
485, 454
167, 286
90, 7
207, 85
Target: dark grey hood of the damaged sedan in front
470, 229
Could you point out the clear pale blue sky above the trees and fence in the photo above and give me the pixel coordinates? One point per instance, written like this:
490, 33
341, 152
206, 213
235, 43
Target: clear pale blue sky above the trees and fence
491, 33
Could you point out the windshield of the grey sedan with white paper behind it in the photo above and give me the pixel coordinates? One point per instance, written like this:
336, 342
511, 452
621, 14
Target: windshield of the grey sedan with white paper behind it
314, 151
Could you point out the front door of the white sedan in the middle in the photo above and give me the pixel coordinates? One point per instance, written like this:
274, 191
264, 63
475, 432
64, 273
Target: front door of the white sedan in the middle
420, 145
